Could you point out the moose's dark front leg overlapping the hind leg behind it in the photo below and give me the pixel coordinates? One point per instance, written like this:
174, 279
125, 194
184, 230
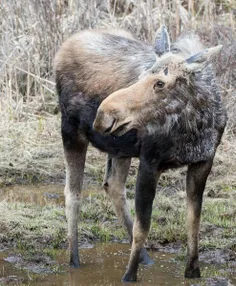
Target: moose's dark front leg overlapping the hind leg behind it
144, 196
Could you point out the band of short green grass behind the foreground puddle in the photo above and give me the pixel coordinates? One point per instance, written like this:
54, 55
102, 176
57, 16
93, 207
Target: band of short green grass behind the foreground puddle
30, 226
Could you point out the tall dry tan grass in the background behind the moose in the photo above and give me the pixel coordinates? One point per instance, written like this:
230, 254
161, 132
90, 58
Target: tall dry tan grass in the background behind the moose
31, 32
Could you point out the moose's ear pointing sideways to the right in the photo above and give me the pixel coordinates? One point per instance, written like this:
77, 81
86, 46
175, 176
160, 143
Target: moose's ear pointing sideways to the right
200, 60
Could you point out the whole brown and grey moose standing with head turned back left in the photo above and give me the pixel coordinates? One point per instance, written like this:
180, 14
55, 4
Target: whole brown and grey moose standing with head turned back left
130, 99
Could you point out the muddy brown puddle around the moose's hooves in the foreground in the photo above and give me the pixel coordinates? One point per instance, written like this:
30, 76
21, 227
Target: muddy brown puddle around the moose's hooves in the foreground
104, 265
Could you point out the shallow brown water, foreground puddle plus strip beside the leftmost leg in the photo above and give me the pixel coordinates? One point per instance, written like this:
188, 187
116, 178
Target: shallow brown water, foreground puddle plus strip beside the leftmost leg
102, 265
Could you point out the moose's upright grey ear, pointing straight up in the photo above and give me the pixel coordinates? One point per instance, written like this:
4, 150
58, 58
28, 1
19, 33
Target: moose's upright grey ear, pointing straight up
162, 41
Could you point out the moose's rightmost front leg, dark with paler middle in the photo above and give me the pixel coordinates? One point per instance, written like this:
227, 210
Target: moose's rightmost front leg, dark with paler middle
196, 180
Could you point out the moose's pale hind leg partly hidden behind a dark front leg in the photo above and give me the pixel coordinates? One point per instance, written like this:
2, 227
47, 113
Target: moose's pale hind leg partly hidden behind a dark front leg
114, 184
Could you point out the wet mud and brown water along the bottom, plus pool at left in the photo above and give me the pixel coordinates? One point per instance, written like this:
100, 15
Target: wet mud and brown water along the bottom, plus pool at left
103, 264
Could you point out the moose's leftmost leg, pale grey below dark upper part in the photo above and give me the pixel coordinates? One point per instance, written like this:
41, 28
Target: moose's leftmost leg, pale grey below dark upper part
75, 154
